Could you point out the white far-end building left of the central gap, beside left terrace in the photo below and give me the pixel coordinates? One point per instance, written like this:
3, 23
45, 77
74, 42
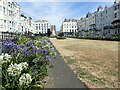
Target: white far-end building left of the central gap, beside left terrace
42, 26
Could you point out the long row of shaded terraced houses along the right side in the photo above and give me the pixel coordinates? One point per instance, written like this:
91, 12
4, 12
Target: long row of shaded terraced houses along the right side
103, 21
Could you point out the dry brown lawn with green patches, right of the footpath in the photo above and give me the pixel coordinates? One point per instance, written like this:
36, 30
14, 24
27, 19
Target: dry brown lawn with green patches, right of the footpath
94, 62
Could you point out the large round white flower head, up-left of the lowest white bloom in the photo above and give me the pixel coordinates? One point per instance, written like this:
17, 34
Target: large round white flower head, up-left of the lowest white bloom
15, 69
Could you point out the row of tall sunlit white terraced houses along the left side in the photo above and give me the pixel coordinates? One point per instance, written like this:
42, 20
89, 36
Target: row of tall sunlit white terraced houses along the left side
11, 20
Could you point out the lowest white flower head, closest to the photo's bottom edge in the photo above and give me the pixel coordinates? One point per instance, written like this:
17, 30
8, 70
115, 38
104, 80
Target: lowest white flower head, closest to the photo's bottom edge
25, 79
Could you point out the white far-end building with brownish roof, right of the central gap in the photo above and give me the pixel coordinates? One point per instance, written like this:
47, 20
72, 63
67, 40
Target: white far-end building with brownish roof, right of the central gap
69, 26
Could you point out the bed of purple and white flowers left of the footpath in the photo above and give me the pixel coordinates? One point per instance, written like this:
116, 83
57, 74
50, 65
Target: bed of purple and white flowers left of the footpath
25, 62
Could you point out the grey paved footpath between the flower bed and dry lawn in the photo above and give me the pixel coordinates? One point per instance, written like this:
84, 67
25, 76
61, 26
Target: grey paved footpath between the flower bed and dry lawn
61, 76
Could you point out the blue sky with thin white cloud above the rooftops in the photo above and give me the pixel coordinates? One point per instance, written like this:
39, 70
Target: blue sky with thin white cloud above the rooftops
56, 12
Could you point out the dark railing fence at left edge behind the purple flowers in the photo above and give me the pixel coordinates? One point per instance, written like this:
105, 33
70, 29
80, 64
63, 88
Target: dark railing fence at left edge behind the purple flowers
7, 36
